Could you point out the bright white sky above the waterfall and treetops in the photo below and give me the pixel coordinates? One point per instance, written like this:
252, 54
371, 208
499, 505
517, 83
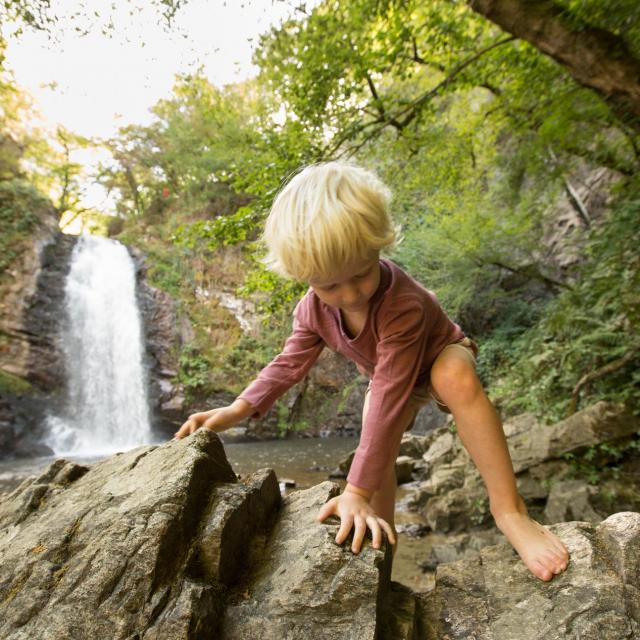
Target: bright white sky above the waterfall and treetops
93, 84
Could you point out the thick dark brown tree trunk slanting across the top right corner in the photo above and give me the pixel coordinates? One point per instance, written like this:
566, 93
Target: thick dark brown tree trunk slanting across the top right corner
596, 58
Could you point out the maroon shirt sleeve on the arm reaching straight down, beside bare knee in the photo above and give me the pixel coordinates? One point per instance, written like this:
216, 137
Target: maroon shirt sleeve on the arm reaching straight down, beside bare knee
400, 350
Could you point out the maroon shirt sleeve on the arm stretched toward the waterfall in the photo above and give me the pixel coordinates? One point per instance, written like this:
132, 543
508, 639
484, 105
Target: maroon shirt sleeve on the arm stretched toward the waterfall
300, 352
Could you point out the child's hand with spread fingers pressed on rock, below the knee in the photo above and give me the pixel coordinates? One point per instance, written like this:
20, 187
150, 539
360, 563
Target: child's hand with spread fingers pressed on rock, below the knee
355, 511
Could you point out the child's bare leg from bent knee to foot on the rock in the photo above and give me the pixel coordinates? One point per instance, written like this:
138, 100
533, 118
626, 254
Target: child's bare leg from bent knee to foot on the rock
455, 381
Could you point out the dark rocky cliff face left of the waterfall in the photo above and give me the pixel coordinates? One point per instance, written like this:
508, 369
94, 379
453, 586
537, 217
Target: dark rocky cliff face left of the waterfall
31, 309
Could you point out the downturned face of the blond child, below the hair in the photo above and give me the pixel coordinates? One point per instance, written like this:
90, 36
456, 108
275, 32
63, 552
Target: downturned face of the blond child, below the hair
351, 288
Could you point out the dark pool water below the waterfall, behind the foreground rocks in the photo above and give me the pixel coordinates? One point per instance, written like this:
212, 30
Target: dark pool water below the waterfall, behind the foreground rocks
306, 461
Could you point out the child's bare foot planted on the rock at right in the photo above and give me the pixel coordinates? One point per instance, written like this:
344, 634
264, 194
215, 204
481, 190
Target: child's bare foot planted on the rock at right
542, 552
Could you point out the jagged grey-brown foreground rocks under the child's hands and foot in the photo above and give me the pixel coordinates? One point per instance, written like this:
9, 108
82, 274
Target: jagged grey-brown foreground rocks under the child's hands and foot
164, 542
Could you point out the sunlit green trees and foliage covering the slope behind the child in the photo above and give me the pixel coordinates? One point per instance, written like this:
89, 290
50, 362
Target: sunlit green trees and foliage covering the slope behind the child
478, 134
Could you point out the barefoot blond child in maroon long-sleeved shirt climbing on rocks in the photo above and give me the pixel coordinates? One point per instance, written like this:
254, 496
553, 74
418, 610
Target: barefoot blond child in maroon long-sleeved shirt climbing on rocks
327, 227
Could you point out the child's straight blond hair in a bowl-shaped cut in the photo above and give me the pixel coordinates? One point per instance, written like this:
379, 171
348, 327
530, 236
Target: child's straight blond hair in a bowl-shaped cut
328, 215
